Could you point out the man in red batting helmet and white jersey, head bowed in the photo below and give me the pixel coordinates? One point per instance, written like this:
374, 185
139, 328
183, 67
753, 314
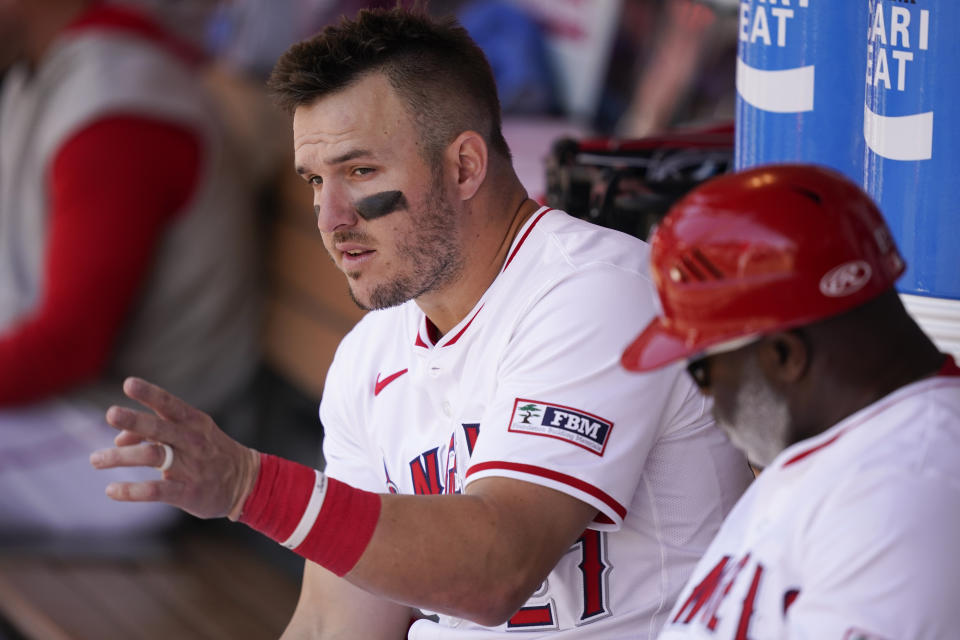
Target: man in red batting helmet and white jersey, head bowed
777, 289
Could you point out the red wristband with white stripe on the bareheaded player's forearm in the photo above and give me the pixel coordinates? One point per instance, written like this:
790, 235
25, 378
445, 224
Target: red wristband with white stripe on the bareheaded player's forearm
322, 519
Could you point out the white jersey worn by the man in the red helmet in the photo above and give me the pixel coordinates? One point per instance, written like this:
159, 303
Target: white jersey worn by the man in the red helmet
849, 535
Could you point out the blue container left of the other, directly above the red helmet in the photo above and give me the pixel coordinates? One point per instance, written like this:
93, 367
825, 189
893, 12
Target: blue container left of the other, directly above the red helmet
800, 73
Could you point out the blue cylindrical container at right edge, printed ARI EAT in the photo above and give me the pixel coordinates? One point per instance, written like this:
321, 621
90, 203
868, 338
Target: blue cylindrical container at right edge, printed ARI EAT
912, 132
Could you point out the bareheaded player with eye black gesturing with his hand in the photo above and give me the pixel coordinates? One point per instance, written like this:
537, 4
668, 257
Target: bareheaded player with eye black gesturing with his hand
487, 457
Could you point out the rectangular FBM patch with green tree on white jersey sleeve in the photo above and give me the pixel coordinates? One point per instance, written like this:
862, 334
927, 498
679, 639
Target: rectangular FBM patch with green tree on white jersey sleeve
563, 423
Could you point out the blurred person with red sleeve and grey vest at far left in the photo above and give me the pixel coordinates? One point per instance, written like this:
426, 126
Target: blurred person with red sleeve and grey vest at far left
125, 246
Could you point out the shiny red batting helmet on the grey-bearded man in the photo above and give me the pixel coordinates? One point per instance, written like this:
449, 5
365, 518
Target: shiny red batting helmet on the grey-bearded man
759, 251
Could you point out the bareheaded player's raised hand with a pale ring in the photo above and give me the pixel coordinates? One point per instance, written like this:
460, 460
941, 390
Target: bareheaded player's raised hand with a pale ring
210, 475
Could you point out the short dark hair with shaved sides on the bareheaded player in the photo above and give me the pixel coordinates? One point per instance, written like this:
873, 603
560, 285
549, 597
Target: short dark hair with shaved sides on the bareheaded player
433, 65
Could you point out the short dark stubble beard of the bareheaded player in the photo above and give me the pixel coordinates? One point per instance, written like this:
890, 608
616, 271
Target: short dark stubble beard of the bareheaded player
432, 252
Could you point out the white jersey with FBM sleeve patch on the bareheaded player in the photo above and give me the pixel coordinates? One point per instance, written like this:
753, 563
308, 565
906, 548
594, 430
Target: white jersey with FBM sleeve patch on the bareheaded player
529, 386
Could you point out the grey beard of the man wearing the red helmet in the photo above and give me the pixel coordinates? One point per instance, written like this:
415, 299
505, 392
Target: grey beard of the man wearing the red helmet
761, 419
